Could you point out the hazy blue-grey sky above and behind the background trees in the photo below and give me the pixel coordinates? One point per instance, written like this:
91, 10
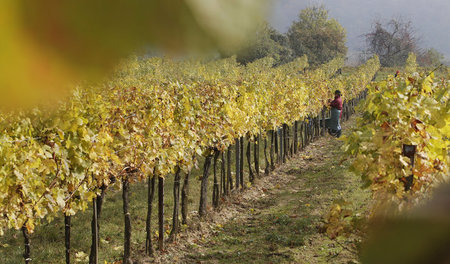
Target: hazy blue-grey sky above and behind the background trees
430, 18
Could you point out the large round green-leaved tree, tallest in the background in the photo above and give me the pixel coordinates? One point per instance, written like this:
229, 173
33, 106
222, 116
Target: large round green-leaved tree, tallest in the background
315, 34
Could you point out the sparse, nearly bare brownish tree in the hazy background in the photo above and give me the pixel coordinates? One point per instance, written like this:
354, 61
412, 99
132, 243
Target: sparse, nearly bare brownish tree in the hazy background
392, 42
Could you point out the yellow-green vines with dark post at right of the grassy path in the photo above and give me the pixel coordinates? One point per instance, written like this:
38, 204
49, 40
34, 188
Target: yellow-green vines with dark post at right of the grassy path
401, 143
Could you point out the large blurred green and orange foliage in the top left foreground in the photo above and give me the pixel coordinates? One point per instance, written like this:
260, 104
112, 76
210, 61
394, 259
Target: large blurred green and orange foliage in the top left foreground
48, 44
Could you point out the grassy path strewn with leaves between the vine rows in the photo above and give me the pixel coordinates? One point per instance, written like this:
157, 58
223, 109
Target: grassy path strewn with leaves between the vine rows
277, 220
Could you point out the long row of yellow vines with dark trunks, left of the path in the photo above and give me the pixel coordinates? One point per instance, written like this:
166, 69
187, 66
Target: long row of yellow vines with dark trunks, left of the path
153, 118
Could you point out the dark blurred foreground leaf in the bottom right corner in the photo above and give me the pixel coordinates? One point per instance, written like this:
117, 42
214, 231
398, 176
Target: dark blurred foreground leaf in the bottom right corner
421, 236
